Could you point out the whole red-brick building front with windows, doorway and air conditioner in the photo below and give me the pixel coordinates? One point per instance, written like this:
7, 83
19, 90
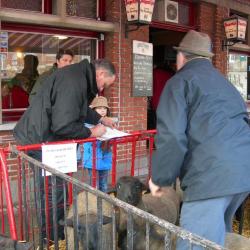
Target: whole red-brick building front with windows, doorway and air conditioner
94, 29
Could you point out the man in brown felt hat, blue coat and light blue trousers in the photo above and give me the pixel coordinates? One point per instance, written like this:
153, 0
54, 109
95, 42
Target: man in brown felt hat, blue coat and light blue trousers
204, 139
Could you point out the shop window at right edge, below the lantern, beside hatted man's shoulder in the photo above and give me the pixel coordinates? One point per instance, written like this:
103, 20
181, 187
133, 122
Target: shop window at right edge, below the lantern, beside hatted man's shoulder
237, 72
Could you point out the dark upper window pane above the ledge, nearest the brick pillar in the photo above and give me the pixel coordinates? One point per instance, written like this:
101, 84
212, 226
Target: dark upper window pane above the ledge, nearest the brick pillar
86, 8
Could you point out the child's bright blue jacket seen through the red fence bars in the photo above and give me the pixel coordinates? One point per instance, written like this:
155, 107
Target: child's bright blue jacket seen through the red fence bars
103, 159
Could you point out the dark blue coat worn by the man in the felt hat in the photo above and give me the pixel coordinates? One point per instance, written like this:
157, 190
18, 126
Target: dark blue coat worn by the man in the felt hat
203, 135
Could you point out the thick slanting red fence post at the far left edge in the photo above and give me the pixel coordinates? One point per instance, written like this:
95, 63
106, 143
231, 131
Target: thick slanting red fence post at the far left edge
9, 202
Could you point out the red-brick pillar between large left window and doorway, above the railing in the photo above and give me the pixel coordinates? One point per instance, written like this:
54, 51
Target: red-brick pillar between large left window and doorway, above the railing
132, 111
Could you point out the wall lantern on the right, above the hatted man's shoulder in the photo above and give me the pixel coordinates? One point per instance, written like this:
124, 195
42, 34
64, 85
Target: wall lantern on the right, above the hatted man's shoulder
235, 29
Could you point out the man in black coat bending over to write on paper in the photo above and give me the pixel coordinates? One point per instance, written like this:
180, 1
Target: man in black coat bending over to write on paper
58, 112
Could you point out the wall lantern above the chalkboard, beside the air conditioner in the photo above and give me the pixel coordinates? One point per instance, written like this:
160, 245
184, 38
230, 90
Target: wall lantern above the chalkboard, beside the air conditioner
139, 12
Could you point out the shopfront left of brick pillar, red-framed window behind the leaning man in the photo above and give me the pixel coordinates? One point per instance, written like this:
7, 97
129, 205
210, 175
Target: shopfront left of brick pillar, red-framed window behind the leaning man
41, 28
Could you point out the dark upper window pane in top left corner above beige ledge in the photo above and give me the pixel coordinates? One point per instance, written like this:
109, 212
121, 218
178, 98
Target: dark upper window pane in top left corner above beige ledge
33, 5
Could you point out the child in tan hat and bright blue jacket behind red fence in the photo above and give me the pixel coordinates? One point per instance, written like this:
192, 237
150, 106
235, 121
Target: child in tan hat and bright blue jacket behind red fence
103, 150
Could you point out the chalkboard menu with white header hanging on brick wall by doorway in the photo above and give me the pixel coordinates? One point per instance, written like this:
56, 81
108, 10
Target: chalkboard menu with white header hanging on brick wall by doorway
142, 69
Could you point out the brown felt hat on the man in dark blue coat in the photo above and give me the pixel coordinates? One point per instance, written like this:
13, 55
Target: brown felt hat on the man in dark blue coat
196, 43
